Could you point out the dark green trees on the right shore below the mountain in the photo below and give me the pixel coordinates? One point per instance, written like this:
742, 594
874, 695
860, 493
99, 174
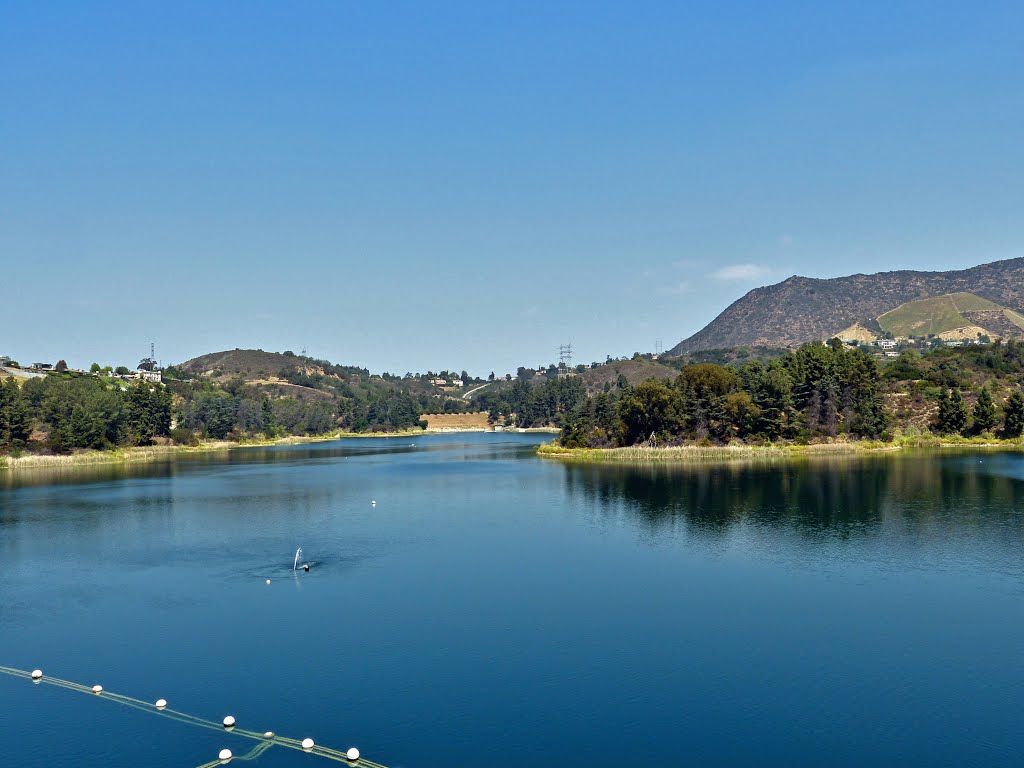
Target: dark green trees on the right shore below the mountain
818, 392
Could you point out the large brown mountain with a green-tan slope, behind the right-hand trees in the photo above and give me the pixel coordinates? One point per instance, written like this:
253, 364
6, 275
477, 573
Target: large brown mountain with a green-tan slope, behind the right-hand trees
801, 310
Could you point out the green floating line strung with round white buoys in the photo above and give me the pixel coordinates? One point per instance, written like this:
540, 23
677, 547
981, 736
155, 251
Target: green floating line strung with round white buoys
267, 740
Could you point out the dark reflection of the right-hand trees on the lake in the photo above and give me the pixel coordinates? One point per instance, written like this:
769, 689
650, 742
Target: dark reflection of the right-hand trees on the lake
840, 495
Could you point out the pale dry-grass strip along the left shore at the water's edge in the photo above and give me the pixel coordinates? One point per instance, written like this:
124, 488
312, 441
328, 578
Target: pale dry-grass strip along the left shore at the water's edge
147, 454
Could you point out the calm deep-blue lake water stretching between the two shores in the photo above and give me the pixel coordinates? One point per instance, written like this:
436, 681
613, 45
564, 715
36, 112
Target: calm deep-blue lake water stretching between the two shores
499, 610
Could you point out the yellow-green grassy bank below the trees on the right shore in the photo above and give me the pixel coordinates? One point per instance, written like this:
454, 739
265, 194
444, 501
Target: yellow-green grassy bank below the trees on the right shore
723, 454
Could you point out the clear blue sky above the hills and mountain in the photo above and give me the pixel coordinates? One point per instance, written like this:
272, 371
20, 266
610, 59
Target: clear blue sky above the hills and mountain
432, 185
